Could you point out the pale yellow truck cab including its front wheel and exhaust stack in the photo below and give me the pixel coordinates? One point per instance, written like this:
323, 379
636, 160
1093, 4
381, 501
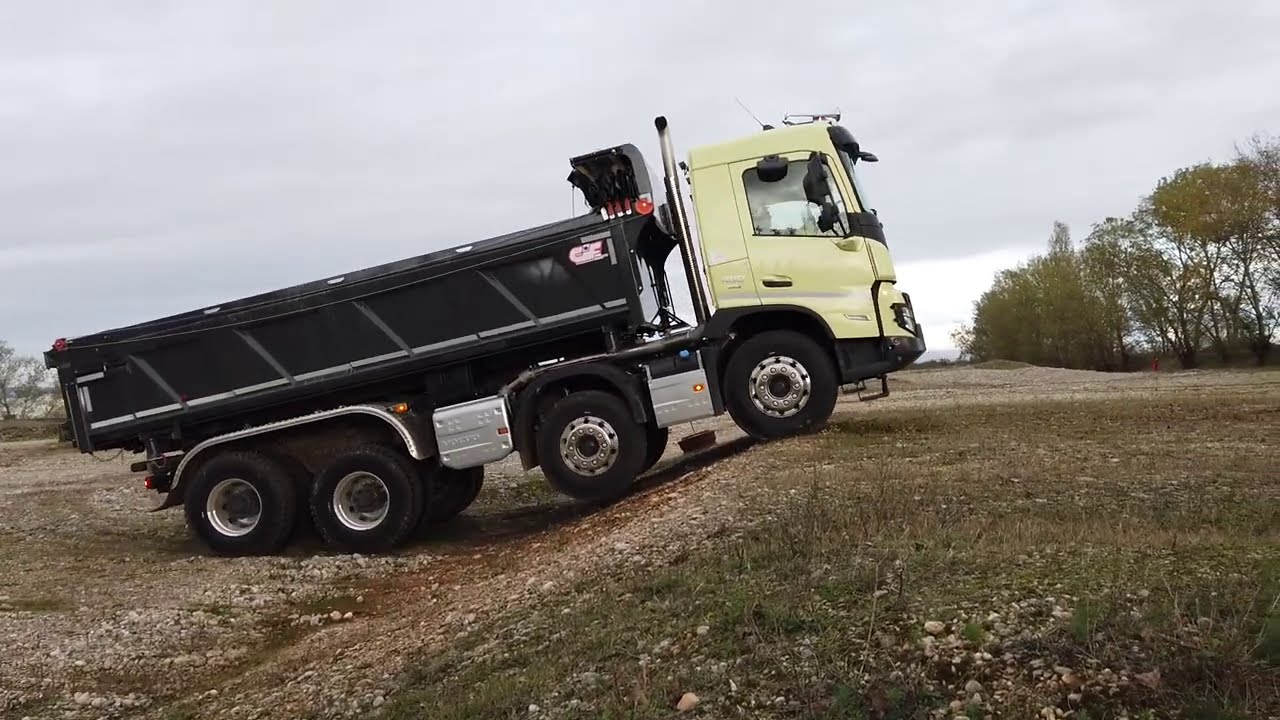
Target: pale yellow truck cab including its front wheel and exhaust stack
790, 250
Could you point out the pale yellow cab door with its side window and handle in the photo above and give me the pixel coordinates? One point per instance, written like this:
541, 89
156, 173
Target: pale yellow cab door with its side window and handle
796, 263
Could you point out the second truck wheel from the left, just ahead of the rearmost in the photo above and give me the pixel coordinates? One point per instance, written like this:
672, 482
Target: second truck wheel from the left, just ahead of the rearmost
383, 500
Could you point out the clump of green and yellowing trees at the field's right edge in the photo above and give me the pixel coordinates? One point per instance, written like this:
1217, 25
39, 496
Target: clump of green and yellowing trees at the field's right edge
1194, 268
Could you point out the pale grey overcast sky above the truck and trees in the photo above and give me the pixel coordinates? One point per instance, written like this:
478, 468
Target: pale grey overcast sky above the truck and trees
162, 157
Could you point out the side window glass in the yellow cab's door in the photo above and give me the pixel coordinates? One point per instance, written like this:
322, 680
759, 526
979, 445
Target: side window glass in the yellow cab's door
780, 208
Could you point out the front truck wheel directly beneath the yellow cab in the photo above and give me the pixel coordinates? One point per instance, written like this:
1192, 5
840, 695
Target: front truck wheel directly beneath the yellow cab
793, 358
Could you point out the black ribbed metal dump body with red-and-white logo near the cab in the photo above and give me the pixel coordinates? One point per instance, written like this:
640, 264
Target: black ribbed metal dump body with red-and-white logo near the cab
424, 325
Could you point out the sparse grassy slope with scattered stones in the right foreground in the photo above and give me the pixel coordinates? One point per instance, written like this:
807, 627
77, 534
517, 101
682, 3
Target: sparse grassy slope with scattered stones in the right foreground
1085, 558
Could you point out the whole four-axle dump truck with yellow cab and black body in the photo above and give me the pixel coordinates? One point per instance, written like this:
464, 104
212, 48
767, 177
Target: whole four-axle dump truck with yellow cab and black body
369, 404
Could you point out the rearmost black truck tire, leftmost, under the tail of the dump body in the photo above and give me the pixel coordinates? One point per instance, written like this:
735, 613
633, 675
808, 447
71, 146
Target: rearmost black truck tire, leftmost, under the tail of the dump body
232, 486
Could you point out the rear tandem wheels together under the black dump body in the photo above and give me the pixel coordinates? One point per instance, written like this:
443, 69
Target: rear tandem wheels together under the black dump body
371, 499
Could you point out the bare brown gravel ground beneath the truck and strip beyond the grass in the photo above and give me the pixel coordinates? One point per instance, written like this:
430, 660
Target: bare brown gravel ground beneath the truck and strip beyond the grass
108, 610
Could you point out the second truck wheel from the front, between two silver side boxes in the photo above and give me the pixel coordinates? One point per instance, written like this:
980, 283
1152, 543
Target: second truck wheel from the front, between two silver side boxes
612, 438
